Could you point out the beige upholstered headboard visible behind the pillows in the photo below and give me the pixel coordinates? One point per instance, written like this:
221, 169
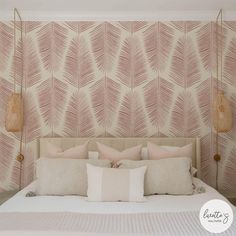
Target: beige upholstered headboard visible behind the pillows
122, 143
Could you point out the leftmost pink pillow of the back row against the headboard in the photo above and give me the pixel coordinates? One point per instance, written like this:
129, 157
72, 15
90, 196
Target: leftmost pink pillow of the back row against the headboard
77, 152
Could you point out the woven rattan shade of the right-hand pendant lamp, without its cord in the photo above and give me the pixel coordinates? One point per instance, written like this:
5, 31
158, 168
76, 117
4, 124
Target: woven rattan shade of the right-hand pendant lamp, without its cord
222, 113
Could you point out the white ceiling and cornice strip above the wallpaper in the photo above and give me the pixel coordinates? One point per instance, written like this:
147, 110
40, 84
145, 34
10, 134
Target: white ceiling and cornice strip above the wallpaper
117, 9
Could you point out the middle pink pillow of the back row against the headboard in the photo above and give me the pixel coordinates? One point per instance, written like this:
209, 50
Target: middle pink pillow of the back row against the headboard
108, 153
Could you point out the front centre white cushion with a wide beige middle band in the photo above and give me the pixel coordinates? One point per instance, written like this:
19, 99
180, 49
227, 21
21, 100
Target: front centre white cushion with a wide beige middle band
110, 185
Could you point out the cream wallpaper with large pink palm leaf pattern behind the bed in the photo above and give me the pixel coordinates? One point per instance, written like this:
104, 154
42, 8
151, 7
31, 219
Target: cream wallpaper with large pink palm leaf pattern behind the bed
118, 79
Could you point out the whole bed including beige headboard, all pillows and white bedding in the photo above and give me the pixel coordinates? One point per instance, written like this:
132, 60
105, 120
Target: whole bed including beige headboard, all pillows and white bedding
112, 186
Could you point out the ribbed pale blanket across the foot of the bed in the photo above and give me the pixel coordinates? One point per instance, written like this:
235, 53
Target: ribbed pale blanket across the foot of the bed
159, 224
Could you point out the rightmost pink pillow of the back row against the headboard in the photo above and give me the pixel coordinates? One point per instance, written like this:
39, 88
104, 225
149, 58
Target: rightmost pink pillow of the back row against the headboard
159, 152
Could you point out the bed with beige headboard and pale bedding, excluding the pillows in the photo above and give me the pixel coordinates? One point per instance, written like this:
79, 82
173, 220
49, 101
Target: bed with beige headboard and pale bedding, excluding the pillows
74, 215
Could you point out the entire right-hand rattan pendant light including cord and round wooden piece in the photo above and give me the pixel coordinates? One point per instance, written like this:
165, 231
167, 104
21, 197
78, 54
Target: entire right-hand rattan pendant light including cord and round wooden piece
222, 113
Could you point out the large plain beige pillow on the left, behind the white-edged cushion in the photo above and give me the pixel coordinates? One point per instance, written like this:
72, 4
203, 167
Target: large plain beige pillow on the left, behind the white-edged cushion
64, 176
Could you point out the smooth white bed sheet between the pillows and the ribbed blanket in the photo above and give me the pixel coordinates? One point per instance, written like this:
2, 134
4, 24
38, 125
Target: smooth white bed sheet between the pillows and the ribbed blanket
155, 203
